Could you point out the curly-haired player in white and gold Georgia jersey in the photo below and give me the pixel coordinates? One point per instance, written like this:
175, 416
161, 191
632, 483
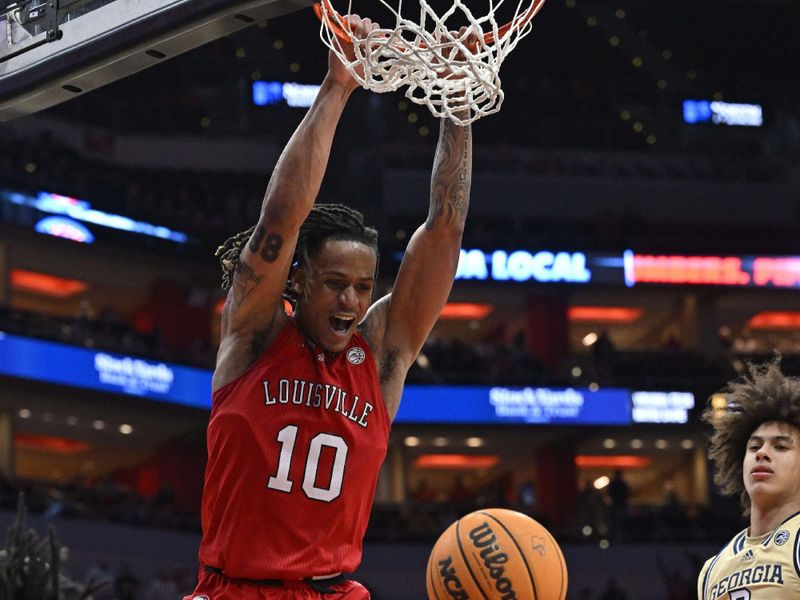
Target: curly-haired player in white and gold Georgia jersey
756, 451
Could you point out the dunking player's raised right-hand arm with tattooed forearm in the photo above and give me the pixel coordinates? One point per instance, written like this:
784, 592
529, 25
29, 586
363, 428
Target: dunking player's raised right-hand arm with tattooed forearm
399, 324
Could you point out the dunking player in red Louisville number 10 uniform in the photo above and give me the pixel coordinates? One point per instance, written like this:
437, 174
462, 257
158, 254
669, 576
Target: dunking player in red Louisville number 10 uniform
303, 404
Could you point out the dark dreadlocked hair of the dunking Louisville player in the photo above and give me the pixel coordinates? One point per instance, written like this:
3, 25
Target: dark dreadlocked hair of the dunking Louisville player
325, 222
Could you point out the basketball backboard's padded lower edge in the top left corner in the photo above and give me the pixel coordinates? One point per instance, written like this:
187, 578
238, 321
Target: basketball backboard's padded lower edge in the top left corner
54, 50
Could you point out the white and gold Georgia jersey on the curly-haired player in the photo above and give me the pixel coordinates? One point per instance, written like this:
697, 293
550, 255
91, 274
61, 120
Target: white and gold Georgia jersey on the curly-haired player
755, 568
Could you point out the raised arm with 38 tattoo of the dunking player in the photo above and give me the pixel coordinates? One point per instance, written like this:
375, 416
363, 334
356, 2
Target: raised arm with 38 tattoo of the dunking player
254, 307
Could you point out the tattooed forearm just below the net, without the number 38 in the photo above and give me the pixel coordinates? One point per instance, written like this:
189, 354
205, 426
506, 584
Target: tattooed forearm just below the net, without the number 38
452, 175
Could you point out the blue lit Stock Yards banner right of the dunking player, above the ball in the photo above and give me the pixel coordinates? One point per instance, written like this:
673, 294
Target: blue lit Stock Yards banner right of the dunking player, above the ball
514, 405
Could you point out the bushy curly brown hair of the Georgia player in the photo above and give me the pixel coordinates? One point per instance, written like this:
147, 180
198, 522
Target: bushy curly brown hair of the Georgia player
764, 394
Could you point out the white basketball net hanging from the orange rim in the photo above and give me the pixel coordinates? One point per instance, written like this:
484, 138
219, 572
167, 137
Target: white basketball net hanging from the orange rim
430, 57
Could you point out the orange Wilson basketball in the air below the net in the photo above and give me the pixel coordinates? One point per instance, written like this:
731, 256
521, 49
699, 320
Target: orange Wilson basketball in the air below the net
496, 554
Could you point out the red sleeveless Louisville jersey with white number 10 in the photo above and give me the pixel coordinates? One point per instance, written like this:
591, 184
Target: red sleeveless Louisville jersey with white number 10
295, 445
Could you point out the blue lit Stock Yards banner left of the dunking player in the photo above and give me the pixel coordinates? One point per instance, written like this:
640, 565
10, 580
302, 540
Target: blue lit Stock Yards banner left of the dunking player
104, 371
